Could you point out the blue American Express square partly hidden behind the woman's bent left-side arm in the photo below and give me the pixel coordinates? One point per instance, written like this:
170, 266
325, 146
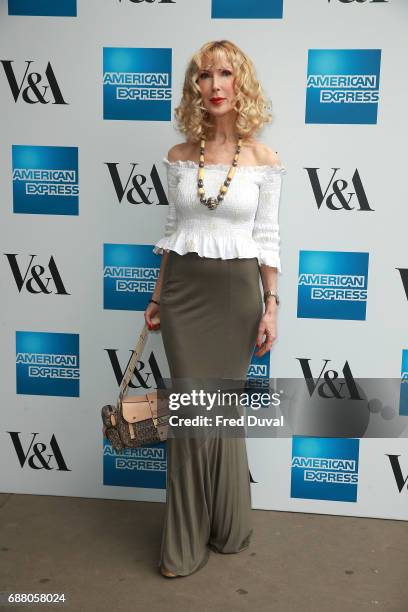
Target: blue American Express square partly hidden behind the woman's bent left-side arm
130, 272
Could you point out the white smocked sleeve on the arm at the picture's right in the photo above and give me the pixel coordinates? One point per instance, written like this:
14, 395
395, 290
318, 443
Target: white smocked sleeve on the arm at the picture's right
266, 224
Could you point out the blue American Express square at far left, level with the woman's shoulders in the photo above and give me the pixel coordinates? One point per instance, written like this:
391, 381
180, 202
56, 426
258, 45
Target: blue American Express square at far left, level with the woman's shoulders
45, 180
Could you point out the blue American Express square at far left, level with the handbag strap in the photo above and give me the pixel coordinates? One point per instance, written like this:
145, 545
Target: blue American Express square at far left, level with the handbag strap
47, 363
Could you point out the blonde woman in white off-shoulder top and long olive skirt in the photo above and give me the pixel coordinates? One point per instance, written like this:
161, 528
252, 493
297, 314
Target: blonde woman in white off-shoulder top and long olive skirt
208, 297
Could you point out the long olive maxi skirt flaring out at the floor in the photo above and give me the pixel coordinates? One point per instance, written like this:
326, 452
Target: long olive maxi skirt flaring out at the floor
210, 310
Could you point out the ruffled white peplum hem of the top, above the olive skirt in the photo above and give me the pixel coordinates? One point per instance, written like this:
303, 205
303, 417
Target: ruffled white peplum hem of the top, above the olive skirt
227, 247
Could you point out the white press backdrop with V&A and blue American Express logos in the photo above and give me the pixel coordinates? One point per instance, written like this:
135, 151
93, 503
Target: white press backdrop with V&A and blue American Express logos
87, 100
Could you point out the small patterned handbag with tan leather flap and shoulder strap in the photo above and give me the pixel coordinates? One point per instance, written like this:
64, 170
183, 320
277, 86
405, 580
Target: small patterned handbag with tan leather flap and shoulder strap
135, 420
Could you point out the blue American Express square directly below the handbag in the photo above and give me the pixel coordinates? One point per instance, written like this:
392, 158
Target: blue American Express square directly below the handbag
144, 467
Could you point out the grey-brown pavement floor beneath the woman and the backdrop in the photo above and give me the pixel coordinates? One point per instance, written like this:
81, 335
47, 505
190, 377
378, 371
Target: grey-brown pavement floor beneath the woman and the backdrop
103, 555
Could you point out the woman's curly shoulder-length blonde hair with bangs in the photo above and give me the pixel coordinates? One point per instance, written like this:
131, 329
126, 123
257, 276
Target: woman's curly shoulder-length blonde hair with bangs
250, 103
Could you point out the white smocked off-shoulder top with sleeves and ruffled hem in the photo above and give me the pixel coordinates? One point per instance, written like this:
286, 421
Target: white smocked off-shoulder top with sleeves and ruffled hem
244, 224
